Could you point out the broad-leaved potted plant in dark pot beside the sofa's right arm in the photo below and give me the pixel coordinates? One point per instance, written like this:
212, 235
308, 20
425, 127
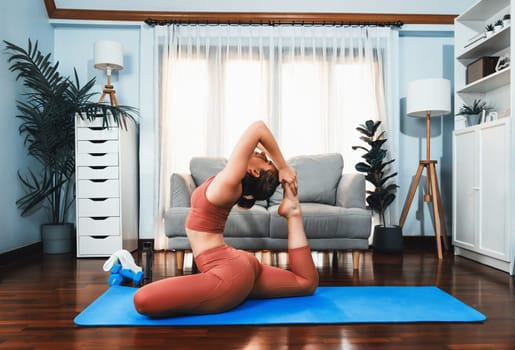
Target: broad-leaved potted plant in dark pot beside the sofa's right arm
387, 238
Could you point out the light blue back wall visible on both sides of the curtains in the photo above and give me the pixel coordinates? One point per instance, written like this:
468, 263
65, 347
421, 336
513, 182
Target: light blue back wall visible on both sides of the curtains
424, 52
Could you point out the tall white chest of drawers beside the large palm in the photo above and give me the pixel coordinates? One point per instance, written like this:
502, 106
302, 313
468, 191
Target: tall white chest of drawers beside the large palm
106, 188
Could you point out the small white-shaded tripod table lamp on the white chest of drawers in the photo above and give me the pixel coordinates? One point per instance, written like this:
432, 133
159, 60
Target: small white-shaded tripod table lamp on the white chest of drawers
108, 57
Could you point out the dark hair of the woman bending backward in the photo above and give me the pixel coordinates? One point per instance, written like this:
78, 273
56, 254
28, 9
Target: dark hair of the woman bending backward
258, 188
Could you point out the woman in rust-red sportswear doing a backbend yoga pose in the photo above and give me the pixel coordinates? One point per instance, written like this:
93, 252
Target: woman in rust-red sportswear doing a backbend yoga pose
227, 275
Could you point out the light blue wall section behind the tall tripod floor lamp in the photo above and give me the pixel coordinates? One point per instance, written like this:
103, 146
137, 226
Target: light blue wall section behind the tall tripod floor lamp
424, 54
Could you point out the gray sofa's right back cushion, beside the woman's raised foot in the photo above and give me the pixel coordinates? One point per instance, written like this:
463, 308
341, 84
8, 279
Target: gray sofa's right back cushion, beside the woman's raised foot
317, 176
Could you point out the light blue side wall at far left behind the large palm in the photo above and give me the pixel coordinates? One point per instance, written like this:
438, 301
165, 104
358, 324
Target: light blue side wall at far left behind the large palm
19, 20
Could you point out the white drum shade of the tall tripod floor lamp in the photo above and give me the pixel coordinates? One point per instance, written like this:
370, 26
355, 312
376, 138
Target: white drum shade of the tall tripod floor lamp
429, 95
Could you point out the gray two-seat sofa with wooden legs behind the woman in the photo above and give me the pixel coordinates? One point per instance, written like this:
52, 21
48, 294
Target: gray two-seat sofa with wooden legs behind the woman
333, 207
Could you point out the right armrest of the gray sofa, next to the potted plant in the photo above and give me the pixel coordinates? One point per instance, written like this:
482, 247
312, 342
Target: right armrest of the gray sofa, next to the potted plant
351, 191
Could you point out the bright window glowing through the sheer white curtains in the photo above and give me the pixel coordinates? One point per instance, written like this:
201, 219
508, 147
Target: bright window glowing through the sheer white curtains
313, 104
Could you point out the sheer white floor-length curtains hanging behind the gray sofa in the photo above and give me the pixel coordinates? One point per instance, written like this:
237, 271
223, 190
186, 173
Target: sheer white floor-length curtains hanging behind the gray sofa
313, 85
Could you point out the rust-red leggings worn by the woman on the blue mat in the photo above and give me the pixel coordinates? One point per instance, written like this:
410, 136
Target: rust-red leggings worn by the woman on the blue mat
227, 277
